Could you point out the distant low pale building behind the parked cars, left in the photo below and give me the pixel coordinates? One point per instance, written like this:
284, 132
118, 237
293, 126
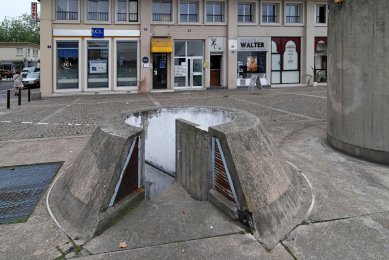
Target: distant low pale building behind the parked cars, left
17, 55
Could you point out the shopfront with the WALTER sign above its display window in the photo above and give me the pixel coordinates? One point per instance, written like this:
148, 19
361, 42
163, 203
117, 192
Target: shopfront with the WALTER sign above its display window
252, 58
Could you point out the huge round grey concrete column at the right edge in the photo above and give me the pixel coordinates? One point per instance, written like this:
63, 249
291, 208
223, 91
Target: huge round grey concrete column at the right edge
358, 90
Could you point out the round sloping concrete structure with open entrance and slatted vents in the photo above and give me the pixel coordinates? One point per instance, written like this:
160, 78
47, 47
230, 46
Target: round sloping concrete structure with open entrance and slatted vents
220, 155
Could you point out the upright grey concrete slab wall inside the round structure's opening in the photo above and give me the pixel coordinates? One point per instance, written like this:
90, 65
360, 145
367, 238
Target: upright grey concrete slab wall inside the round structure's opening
193, 160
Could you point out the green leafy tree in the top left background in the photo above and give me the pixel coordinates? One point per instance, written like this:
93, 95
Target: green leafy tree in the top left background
19, 29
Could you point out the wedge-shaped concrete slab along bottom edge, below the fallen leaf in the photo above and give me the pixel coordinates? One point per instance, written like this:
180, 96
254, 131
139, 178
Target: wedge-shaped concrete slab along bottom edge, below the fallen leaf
235, 246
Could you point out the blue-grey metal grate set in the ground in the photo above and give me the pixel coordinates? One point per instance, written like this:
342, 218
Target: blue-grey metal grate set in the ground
21, 188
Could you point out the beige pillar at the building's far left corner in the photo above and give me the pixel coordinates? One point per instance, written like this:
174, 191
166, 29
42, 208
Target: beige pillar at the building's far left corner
46, 48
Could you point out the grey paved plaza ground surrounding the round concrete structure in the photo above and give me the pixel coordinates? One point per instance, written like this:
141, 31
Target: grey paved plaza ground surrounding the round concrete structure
348, 218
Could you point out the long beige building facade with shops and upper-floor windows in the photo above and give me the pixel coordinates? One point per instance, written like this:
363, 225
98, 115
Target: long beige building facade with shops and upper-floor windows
162, 45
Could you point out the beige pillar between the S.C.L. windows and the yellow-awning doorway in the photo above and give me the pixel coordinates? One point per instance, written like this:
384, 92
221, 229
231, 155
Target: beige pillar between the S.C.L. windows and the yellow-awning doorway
145, 11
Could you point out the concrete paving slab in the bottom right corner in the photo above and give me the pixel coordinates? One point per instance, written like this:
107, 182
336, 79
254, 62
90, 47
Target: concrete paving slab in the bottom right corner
355, 238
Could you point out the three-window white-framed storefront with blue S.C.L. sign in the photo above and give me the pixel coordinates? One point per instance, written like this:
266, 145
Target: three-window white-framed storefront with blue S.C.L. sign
96, 60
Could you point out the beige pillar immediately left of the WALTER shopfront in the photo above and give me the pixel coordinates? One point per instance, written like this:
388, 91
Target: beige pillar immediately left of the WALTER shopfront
232, 32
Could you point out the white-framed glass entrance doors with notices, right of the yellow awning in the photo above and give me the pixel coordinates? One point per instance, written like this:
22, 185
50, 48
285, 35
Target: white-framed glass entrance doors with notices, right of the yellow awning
188, 64
